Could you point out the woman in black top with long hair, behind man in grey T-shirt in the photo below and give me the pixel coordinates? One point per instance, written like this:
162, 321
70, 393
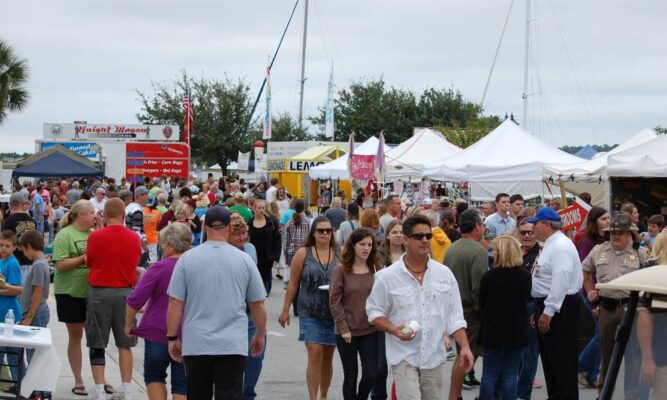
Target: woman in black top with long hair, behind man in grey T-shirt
265, 236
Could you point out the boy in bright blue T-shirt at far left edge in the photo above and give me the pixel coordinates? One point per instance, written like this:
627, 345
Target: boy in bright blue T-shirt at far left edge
10, 290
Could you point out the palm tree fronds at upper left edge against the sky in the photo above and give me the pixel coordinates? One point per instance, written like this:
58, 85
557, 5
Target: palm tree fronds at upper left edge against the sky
13, 76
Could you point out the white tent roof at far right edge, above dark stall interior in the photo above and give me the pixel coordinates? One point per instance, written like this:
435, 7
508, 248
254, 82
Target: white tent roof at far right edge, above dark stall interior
646, 160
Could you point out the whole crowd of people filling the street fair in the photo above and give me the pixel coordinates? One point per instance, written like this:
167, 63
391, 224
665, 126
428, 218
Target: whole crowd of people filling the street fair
392, 286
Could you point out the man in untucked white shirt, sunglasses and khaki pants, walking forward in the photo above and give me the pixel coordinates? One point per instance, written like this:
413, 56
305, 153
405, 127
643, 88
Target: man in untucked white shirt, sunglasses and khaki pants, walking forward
416, 301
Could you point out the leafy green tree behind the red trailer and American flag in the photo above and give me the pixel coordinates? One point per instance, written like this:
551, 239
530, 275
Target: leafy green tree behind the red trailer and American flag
221, 110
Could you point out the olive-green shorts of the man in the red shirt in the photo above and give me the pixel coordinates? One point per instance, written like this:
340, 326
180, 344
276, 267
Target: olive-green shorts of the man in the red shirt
106, 313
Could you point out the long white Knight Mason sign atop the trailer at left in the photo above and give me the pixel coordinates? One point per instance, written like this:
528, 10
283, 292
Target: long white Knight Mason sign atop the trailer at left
114, 132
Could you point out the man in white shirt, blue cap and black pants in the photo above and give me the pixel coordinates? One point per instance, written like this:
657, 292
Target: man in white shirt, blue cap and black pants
557, 280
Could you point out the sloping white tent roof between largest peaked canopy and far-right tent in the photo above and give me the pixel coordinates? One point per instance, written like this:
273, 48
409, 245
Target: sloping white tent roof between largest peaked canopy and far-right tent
595, 168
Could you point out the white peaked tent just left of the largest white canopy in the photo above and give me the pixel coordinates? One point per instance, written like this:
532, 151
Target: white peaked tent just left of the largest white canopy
408, 158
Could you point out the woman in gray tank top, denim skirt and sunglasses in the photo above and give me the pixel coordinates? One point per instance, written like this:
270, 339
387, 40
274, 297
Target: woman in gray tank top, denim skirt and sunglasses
311, 269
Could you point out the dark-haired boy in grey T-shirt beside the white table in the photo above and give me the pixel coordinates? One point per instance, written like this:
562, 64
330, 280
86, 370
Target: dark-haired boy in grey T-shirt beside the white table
36, 288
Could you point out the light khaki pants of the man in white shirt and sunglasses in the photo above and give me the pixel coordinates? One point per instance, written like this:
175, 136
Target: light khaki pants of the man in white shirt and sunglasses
418, 384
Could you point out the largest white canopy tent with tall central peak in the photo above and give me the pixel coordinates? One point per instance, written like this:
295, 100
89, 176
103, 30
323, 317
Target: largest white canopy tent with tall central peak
508, 159
